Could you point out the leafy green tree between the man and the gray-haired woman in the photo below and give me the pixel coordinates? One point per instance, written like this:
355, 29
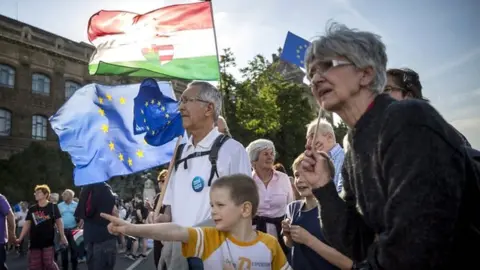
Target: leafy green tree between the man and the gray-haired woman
265, 105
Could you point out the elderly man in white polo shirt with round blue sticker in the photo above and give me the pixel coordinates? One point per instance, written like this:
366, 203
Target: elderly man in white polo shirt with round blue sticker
206, 156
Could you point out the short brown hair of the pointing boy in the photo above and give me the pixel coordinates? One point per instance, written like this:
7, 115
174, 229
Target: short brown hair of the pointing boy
242, 189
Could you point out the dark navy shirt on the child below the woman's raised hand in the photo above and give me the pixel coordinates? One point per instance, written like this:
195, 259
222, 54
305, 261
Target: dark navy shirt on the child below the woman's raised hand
301, 256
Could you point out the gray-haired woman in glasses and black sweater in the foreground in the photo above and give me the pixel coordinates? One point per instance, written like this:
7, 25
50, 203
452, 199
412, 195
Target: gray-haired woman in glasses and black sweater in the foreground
410, 200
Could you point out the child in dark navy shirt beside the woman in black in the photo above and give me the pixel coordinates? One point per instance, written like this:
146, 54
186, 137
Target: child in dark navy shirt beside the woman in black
302, 231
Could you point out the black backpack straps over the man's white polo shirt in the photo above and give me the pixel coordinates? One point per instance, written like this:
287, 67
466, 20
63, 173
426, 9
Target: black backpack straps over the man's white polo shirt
212, 156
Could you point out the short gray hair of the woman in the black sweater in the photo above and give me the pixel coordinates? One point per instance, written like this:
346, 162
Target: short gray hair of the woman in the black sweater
362, 48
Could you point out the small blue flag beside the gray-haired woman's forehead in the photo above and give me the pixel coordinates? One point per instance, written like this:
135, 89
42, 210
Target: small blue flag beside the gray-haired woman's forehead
294, 50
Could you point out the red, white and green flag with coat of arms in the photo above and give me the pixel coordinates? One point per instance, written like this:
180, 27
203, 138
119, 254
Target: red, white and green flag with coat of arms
171, 42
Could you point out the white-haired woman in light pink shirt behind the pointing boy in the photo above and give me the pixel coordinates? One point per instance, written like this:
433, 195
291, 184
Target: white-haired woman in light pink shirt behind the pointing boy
274, 188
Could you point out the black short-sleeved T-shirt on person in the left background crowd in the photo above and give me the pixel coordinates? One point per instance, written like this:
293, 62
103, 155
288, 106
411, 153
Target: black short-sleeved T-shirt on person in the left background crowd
42, 229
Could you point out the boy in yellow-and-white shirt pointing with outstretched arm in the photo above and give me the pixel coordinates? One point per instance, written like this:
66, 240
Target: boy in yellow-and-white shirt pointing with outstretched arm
232, 243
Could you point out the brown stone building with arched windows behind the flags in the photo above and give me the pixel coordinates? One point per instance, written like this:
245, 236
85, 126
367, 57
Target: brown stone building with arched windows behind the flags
39, 71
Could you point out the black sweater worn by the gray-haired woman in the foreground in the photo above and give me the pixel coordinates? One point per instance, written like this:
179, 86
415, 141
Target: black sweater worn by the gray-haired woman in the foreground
406, 202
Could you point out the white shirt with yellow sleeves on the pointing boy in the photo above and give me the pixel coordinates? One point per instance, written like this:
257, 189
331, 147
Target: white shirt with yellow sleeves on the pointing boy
216, 248
